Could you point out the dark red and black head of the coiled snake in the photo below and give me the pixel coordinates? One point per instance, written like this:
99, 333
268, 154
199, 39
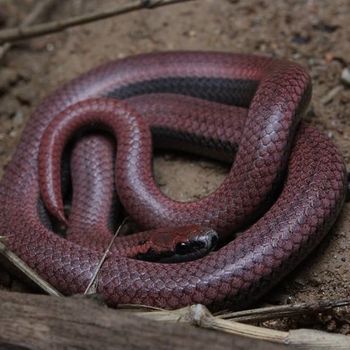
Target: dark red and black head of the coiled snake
179, 244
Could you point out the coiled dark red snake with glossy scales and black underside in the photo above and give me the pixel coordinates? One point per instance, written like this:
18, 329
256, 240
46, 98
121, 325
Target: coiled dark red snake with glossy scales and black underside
284, 190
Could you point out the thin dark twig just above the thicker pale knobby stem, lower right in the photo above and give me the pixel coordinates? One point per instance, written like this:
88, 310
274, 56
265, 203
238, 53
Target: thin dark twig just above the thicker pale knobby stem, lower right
273, 312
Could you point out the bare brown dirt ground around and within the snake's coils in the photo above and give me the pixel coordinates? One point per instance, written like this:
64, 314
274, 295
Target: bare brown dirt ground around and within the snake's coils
315, 34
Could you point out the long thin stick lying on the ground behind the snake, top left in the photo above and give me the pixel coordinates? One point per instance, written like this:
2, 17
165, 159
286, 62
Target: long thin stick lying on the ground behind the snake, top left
13, 34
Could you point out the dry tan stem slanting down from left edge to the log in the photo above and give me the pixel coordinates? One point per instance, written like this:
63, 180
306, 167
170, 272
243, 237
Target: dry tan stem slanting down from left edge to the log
21, 266
